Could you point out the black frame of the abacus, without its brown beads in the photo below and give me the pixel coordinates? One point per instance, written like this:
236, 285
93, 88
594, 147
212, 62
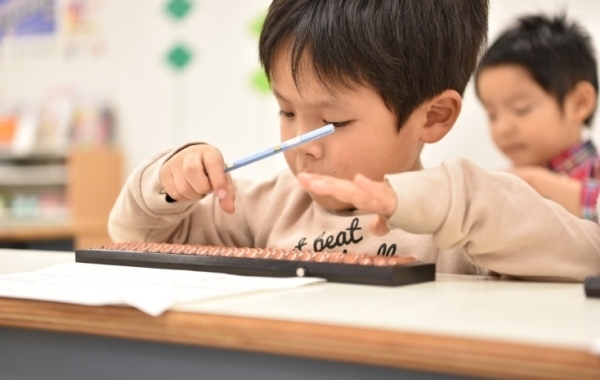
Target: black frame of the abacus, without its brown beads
392, 275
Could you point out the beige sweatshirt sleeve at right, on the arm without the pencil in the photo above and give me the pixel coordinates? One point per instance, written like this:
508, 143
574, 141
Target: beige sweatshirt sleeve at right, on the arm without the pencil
498, 220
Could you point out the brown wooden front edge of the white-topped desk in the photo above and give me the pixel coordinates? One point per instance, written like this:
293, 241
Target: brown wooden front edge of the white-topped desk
436, 353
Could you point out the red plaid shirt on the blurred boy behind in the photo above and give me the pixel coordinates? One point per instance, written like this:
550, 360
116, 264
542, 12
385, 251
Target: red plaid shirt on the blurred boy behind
582, 162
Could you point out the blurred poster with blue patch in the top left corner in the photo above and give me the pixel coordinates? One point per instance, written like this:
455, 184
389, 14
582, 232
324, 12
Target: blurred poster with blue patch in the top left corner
28, 28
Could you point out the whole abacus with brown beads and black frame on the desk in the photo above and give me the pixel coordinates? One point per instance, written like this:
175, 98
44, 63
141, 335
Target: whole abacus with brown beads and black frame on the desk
333, 266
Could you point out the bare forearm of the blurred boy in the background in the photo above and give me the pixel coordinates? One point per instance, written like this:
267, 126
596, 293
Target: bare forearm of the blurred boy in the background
557, 187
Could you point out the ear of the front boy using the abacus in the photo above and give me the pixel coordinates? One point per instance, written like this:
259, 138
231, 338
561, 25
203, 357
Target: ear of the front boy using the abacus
441, 114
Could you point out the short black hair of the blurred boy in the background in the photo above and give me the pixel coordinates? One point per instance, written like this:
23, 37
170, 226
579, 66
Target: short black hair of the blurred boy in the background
558, 53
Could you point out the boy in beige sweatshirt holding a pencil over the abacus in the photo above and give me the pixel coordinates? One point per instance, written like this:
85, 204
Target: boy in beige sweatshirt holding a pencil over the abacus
389, 75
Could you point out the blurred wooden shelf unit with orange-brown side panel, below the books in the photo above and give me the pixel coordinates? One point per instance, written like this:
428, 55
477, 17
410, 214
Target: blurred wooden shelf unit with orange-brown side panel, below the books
88, 180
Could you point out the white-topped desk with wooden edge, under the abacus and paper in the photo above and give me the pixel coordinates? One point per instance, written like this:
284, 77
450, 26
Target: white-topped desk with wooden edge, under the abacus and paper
459, 325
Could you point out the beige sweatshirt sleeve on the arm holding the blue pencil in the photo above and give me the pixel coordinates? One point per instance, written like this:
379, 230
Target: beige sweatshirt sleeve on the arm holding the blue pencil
141, 213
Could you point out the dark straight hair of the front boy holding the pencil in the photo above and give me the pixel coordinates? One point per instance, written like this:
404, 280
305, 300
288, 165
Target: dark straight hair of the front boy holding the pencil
407, 50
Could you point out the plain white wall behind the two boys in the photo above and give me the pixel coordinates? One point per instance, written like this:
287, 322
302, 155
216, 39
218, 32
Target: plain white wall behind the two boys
212, 99
